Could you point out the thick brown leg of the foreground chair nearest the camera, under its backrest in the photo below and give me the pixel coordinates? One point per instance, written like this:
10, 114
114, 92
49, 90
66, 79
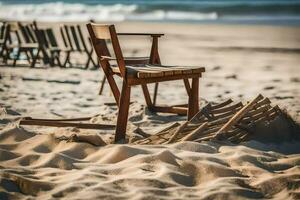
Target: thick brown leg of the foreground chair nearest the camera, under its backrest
123, 113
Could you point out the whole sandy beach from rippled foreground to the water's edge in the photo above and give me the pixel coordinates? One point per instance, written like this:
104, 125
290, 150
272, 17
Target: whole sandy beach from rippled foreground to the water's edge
241, 61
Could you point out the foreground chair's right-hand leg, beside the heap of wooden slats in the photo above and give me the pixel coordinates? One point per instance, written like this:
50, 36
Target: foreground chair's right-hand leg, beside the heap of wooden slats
194, 98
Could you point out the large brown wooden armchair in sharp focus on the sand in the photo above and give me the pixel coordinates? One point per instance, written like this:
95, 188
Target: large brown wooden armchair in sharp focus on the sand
140, 74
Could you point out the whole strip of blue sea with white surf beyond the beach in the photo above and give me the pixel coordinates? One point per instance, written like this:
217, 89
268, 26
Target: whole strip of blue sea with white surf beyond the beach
281, 12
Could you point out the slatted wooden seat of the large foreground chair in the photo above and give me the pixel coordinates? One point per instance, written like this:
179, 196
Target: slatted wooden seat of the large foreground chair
151, 71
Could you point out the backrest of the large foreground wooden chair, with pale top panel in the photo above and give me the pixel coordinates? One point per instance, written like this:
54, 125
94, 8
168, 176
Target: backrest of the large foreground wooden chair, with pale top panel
100, 34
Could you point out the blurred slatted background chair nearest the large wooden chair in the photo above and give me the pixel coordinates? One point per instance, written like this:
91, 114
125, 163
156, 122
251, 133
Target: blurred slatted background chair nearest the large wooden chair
75, 42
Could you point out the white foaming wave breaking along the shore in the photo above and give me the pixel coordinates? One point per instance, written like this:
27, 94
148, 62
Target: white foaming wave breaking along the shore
60, 11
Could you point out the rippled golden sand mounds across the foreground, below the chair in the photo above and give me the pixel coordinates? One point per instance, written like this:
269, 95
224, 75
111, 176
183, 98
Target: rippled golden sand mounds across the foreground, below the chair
41, 165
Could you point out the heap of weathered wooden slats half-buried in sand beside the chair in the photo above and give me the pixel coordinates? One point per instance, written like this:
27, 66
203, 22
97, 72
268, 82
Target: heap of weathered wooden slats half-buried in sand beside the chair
225, 121
